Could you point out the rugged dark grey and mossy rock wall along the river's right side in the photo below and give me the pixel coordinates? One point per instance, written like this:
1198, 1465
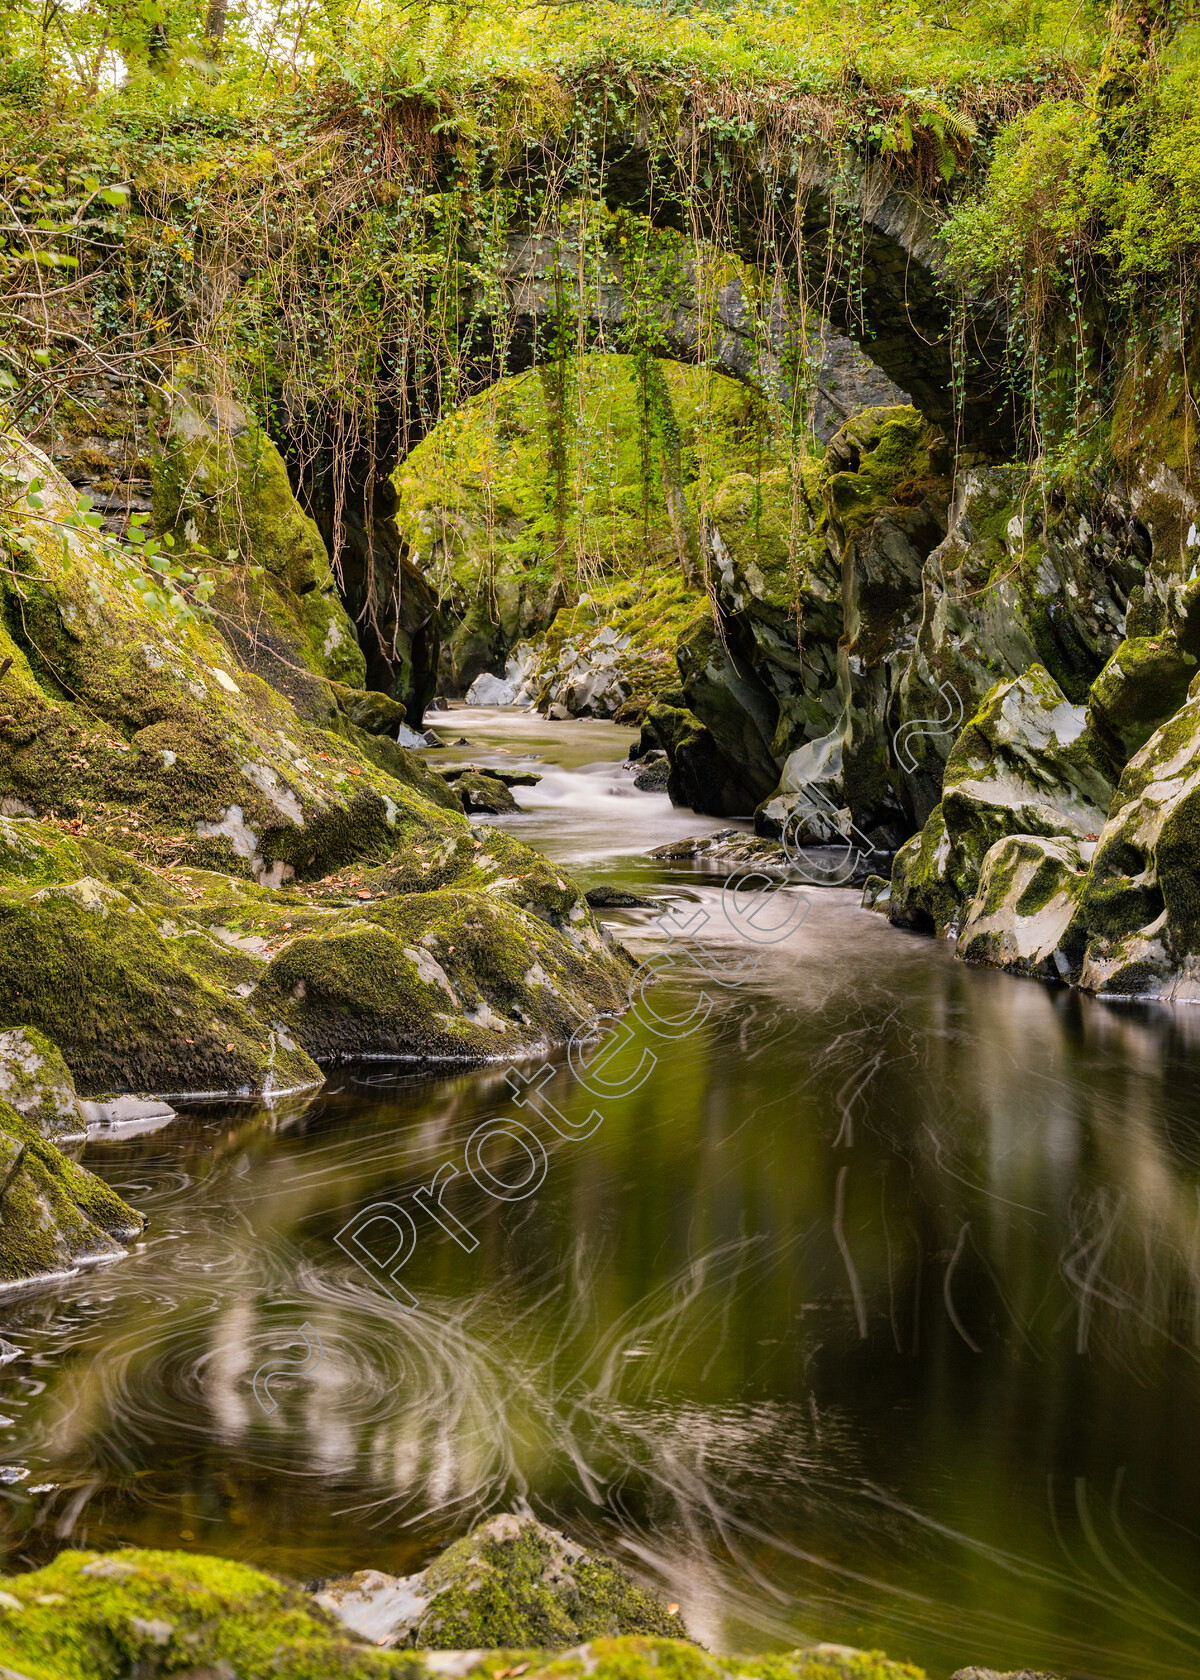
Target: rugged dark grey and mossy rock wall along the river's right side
981, 678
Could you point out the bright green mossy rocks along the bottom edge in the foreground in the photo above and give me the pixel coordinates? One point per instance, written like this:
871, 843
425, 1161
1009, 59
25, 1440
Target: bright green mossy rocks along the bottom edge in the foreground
147, 1614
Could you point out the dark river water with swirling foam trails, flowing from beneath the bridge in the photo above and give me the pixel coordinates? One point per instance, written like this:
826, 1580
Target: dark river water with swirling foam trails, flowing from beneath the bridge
873, 1315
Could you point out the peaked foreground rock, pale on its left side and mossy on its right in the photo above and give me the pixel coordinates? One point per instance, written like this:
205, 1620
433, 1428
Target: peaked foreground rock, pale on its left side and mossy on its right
512, 1583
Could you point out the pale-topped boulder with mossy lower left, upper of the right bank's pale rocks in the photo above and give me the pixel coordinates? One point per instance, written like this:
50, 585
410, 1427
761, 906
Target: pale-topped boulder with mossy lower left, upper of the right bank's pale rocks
1024, 765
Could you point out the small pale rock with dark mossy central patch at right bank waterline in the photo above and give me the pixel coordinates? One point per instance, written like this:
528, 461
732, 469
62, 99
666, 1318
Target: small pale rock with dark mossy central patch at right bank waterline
1024, 916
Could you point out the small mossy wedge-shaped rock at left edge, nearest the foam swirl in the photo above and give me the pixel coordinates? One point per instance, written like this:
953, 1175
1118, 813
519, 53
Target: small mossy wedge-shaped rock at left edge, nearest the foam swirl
55, 1214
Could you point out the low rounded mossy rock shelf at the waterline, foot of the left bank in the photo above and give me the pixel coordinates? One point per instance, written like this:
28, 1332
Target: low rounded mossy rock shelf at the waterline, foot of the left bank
182, 982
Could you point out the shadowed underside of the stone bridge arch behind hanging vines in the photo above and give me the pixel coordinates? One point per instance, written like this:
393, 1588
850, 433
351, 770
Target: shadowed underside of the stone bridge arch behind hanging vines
755, 298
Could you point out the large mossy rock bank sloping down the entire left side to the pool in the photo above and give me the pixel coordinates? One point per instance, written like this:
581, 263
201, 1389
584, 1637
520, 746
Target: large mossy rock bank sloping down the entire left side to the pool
204, 890
